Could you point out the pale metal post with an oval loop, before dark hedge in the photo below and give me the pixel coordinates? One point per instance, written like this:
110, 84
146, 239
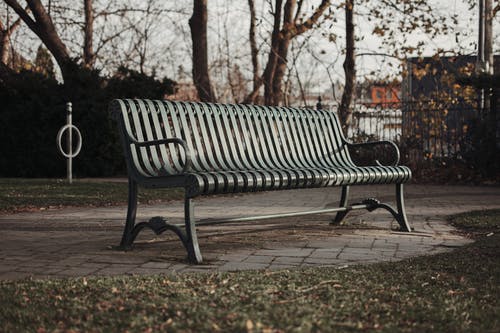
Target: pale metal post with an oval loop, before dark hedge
69, 127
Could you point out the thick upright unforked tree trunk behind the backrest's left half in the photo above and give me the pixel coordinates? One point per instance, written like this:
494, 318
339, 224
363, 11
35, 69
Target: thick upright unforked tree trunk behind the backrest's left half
198, 25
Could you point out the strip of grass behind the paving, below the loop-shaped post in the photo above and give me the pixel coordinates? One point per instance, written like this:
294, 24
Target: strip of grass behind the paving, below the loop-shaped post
19, 194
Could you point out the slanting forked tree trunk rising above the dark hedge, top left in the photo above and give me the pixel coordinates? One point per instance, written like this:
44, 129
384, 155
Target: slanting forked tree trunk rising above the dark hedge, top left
43, 27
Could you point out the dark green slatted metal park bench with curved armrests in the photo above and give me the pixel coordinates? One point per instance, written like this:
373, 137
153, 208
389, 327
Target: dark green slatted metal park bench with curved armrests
222, 148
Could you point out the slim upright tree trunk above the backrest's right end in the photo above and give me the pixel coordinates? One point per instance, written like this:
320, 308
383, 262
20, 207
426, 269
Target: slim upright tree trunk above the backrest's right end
349, 66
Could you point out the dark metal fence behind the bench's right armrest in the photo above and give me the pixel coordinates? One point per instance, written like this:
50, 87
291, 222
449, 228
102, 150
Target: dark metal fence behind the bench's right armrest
428, 129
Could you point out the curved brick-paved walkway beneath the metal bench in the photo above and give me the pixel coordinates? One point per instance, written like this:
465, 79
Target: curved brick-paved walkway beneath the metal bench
79, 241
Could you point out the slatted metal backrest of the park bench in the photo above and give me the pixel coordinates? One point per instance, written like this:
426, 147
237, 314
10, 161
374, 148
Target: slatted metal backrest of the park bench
229, 137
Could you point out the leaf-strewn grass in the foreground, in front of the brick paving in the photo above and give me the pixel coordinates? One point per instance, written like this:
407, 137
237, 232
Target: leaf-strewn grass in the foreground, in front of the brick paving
457, 291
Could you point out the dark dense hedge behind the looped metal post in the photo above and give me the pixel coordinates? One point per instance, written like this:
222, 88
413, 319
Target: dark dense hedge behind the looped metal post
33, 109
